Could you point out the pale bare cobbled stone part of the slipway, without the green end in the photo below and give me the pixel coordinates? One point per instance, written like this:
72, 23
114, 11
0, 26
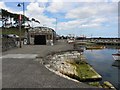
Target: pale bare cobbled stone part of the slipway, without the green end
62, 62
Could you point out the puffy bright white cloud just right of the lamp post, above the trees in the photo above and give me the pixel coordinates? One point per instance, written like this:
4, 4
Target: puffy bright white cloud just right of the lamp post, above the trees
34, 10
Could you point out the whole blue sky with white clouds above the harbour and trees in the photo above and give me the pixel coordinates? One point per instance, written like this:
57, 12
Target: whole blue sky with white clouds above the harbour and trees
90, 18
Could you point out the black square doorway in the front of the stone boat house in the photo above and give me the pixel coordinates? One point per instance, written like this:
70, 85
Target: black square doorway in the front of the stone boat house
40, 40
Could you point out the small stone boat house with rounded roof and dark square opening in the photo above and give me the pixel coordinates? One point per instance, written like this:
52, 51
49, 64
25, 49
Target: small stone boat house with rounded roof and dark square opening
42, 36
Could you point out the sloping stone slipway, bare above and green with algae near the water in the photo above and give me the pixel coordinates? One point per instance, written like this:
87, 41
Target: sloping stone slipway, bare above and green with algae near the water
72, 64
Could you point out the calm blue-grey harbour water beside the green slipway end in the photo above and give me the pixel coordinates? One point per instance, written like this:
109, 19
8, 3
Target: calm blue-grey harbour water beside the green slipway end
102, 62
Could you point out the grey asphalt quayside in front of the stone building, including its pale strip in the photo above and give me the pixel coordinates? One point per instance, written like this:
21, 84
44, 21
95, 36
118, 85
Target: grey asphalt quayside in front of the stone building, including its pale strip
20, 71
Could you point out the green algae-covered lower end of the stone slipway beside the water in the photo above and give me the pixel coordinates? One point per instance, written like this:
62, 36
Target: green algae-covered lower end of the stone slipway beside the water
85, 71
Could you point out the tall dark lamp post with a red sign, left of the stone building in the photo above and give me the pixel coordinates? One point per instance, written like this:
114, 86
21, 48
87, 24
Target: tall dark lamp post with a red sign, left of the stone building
20, 18
